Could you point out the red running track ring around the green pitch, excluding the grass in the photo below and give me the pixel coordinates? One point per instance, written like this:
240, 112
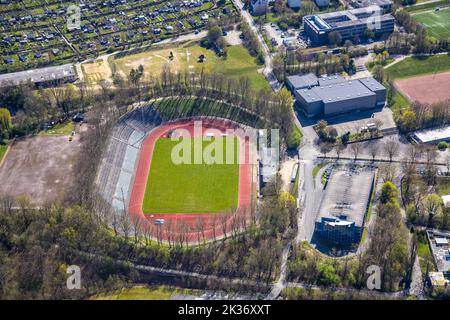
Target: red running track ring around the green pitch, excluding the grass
191, 226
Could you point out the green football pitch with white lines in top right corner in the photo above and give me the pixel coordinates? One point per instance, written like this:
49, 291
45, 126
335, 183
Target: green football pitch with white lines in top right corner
437, 23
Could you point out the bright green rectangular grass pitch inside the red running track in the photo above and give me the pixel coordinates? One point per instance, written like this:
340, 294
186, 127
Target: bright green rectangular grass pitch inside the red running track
192, 188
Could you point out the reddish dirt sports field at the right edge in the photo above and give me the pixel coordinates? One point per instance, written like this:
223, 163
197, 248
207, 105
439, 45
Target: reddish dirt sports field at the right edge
426, 89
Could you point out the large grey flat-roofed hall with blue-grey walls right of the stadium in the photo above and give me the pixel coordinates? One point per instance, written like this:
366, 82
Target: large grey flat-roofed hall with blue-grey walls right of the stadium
331, 95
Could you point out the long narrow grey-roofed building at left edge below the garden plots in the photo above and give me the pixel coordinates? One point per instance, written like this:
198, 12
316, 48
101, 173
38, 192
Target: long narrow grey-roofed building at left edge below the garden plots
38, 75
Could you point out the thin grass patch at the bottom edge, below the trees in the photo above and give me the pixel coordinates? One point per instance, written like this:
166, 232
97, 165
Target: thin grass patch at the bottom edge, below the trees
144, 293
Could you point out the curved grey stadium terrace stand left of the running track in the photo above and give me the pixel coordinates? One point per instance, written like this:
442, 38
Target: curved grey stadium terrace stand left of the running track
118, 164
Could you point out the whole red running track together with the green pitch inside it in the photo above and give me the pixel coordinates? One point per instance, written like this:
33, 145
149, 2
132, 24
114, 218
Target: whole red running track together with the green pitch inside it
195, 179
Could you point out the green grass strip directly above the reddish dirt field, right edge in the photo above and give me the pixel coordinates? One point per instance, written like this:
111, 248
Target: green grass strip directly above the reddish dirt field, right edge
414, 66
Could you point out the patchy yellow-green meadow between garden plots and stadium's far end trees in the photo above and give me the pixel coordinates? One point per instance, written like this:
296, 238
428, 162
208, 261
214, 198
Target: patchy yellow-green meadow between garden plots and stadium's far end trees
239, 63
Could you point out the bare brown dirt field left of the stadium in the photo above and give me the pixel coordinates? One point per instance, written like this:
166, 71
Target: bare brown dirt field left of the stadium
40, 167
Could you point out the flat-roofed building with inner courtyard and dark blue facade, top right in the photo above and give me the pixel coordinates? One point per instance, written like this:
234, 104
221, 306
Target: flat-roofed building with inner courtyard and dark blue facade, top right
351, 24
